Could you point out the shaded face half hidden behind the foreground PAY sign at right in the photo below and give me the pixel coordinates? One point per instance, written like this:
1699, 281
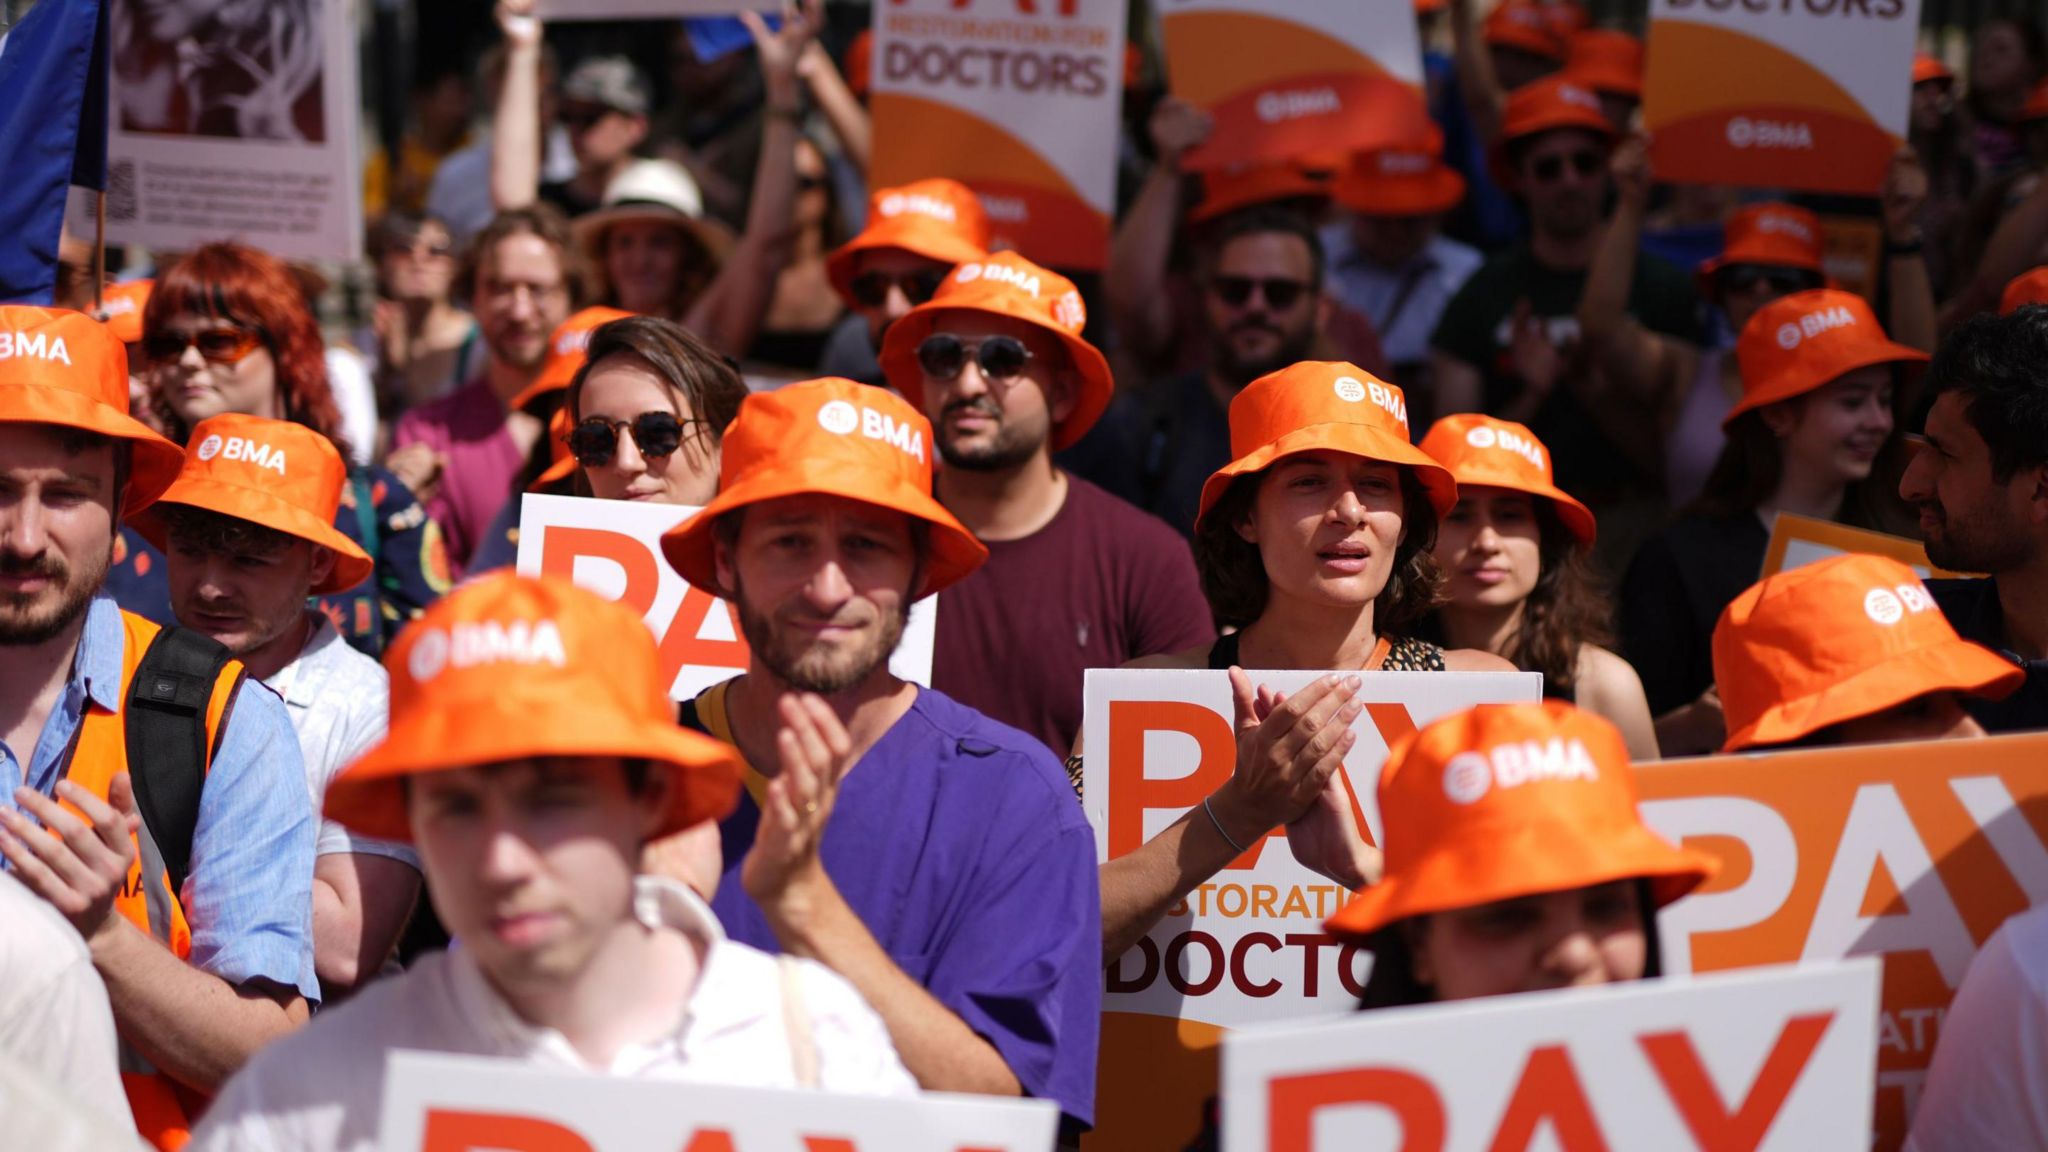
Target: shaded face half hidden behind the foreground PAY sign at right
1533, 944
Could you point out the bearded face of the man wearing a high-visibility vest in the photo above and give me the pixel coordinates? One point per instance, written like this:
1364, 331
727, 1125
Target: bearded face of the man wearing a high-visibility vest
58, 513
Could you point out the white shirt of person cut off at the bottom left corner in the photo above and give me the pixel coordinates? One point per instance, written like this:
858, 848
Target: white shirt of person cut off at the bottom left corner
54, 1014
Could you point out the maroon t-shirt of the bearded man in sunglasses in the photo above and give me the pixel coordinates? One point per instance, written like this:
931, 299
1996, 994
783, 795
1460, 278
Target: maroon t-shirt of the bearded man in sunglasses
1101, 585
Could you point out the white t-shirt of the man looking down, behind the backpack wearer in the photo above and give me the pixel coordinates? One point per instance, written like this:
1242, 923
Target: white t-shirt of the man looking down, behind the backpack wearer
339, 702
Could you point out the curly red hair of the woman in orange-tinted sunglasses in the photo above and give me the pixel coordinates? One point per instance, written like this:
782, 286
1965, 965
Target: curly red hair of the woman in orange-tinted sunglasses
259, 292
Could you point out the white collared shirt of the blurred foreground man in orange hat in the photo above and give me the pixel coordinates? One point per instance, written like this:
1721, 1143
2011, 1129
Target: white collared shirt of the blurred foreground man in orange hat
323, 1087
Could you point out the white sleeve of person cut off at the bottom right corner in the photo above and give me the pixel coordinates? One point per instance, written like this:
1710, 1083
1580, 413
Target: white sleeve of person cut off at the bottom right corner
1990, 1079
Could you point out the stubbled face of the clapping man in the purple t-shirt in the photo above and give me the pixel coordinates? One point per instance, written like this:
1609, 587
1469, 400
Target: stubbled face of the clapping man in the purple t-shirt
822, 585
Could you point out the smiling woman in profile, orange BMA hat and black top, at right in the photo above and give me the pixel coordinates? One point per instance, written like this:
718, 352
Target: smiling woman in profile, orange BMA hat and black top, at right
1807, 438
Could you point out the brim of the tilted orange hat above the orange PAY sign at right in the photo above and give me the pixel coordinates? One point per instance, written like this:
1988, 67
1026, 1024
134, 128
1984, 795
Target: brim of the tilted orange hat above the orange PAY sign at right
1951, 665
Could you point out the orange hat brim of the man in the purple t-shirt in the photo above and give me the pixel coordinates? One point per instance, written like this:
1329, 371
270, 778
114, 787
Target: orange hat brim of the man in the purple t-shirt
955, 550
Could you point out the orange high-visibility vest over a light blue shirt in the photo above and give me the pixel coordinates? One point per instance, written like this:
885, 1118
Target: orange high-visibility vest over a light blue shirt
165, 1110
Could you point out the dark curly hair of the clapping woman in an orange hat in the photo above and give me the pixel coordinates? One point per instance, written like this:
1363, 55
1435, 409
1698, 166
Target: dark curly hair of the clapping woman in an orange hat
1234, 575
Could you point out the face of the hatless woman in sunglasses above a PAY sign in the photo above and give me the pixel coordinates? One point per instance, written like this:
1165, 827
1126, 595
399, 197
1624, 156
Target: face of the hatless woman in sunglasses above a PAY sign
617, 390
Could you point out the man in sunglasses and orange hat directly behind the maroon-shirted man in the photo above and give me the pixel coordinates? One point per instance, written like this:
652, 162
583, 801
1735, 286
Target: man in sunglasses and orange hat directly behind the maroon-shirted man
914, 237
